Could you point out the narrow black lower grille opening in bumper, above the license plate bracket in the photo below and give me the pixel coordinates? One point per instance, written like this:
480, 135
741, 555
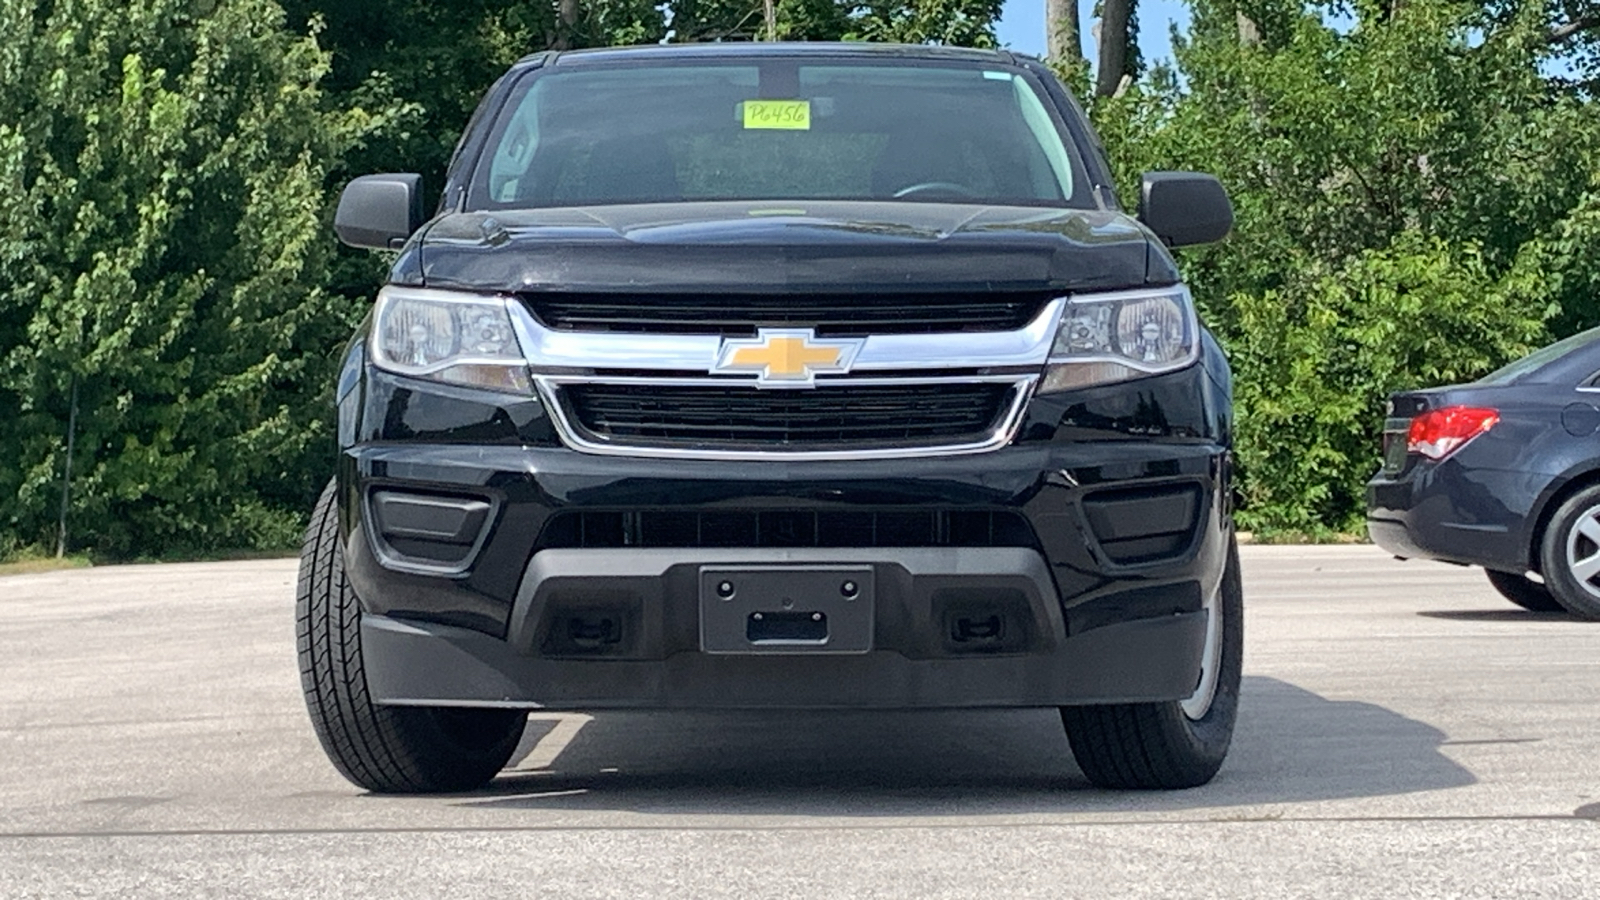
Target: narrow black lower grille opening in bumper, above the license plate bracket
786, 529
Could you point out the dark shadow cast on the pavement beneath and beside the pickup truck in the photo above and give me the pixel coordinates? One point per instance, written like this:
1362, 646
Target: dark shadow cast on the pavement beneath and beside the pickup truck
1292, 745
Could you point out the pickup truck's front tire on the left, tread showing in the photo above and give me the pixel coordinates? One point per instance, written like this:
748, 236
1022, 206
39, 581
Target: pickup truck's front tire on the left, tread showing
382, 749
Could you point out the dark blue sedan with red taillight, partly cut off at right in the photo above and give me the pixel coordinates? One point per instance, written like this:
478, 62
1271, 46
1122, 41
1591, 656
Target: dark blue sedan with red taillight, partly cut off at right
1502, 473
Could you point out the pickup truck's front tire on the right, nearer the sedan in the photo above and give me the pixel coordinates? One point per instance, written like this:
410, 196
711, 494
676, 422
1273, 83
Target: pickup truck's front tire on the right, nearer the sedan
1162, 745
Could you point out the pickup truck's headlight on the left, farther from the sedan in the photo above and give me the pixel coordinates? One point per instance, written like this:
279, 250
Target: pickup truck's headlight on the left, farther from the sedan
460, 339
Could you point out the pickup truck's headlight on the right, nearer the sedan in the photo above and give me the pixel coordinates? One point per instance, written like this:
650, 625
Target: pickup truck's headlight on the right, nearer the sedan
1116, 337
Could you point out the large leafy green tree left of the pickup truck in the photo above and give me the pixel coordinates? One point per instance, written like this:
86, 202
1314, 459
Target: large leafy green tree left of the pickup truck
162, 255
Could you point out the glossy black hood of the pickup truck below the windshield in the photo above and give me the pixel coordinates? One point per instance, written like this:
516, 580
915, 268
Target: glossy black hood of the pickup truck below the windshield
785, 246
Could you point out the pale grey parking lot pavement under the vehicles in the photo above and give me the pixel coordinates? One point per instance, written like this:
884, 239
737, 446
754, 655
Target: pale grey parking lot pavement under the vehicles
1404, 733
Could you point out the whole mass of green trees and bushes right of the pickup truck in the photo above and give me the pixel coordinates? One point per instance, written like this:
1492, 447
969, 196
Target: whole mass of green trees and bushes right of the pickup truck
1415, 198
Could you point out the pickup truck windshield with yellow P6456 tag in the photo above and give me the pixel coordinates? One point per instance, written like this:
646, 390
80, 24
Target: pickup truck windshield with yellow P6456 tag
777, 131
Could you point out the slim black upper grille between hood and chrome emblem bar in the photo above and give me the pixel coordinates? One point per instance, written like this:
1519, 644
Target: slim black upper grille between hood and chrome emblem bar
828, 315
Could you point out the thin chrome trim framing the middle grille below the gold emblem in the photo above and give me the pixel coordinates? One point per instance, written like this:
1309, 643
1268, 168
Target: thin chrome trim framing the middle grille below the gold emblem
1001, 436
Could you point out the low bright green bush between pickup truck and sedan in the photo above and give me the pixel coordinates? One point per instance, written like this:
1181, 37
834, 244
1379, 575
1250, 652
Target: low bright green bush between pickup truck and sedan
1316, 358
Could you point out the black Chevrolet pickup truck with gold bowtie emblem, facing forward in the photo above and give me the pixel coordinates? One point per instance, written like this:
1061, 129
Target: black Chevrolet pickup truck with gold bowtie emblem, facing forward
777, 377
